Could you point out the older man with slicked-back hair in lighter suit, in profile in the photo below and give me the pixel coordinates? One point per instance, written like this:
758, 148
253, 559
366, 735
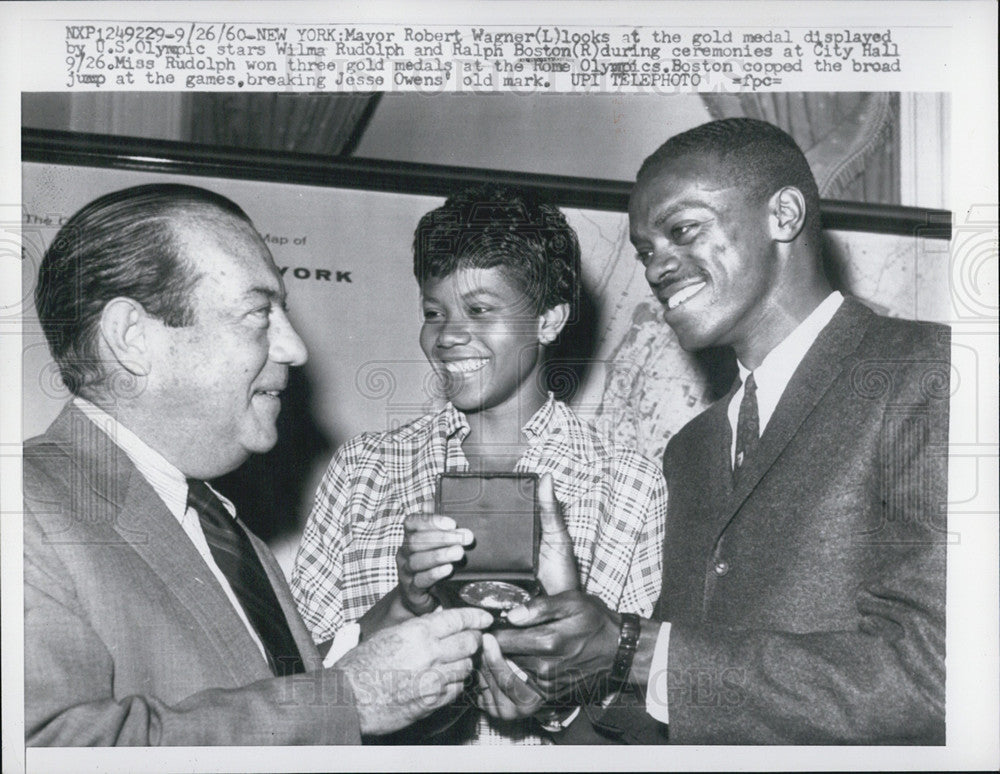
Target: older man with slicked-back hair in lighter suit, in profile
152, 616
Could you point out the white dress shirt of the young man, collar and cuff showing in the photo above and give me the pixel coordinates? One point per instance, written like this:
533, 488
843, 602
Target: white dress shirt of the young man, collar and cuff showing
772, 377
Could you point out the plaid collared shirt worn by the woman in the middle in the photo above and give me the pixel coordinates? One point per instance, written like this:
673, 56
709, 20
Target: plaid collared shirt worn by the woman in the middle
613, 500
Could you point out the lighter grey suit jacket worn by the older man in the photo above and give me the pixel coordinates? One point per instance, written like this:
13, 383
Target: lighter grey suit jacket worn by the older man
128, 637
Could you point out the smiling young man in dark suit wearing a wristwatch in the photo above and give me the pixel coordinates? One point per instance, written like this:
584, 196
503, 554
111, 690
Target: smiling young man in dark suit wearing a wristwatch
803, 595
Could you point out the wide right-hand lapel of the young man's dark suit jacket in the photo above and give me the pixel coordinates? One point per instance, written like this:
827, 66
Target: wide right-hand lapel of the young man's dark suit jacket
815, 375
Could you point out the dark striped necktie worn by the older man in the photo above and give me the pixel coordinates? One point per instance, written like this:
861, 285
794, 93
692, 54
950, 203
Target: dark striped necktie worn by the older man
235, 556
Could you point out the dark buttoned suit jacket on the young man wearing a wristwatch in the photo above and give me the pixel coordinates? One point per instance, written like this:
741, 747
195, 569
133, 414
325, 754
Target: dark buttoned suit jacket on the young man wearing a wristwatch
808, 605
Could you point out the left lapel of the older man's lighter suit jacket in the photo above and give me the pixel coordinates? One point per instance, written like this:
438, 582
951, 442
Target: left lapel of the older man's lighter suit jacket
140, 519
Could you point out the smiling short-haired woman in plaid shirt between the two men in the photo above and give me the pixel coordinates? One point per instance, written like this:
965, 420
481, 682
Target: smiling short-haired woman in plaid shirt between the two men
499, 277
